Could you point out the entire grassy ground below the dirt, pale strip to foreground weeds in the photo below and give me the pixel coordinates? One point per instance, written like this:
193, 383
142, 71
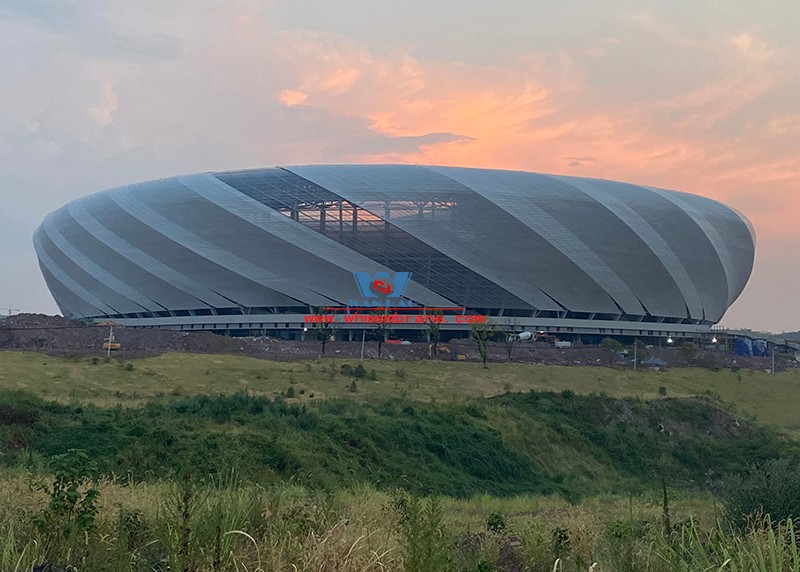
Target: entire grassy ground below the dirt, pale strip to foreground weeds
280, 486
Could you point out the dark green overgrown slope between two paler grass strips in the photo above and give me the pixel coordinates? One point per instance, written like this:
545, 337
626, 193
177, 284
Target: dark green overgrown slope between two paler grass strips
512, 444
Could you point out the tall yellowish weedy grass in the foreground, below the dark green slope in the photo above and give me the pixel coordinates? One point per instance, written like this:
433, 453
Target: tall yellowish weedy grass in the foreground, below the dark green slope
224, 524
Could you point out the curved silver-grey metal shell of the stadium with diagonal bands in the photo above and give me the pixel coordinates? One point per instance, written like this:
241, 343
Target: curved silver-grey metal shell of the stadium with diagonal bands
283, 239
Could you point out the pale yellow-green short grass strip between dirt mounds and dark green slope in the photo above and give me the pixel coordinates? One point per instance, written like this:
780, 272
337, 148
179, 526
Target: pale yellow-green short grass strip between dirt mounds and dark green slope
773, 400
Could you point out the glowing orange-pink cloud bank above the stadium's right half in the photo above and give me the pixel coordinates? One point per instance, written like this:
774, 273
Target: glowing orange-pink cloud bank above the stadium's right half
539, 112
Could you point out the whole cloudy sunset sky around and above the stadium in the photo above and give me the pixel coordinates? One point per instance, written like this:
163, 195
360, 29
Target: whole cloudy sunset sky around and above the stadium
701, 96
